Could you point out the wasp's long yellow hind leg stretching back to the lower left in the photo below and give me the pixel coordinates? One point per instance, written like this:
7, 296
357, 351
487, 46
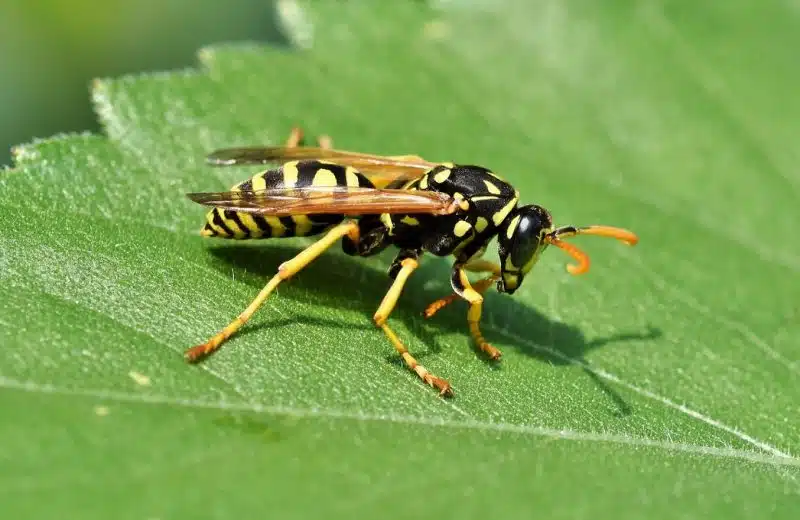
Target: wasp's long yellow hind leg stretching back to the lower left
285, 271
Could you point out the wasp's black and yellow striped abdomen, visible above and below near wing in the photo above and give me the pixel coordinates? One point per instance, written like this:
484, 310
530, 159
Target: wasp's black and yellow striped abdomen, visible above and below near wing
225, 223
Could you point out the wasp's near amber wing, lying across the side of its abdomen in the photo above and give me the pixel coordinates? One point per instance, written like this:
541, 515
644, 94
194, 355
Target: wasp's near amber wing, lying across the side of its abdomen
342, 200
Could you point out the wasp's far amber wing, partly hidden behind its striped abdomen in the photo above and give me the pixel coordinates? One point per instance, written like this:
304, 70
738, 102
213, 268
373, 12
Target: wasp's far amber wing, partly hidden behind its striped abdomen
381, 170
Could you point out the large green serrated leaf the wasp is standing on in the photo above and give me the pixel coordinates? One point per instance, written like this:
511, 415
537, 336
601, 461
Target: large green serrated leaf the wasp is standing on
662, 384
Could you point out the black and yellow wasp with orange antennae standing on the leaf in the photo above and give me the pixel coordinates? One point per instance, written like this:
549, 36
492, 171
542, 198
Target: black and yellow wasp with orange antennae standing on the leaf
371, 202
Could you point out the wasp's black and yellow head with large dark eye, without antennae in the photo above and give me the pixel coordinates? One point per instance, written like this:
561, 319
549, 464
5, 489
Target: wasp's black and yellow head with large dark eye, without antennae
521, 241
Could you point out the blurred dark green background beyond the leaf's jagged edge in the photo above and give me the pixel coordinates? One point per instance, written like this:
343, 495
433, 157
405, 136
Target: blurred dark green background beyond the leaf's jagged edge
51, 49
